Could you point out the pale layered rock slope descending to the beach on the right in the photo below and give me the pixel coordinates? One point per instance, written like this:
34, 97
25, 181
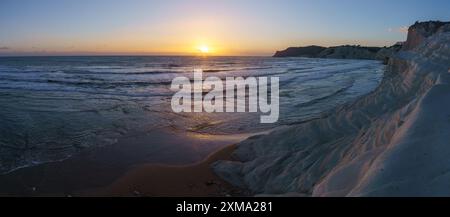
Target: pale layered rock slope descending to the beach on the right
394, 141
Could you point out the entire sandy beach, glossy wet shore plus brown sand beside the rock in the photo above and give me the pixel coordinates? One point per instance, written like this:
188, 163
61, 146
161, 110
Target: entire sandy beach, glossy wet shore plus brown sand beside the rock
134, 161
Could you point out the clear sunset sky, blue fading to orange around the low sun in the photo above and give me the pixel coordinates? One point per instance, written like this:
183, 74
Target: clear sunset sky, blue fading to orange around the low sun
219, 27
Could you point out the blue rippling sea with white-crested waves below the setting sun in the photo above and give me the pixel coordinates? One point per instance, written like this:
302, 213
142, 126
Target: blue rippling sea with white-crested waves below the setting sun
54, 107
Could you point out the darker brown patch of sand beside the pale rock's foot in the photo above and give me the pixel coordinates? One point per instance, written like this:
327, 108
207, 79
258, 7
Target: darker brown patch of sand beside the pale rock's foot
186, 181
